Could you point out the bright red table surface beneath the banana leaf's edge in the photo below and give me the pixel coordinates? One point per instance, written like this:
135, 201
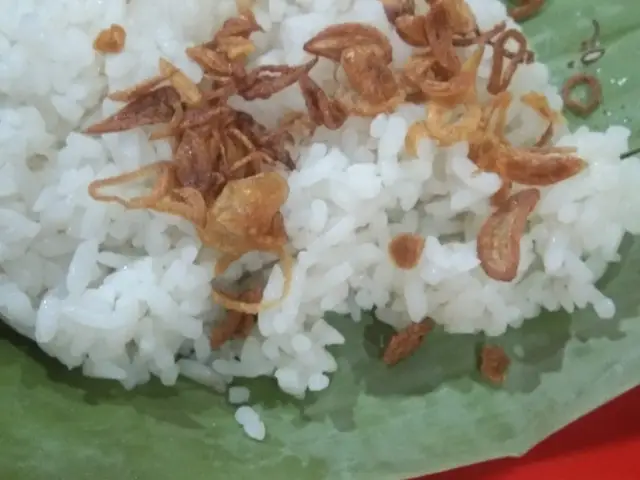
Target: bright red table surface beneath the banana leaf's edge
603, 444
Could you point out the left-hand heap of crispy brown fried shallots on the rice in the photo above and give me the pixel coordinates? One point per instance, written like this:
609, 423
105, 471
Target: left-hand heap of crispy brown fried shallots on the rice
223, 176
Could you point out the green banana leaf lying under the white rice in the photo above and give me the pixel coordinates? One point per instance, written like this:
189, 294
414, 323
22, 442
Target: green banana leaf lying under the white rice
428, 414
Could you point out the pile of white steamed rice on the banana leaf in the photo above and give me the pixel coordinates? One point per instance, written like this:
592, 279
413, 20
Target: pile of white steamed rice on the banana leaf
120, 293
